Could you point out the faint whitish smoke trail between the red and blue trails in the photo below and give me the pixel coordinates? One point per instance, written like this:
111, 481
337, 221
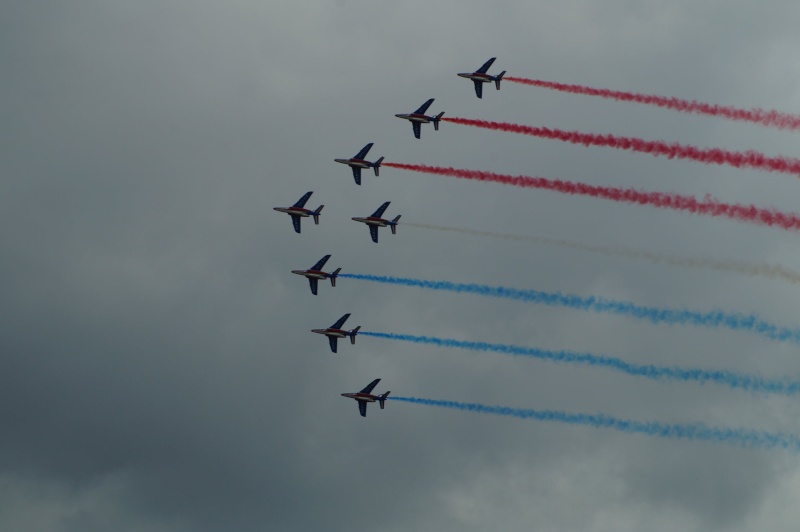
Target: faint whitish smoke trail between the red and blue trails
770, 271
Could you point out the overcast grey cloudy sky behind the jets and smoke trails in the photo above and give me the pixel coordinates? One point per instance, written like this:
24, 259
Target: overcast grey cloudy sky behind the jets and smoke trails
156, 369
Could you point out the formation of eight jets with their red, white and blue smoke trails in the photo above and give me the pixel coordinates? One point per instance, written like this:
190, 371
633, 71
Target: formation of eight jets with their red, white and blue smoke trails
736, 321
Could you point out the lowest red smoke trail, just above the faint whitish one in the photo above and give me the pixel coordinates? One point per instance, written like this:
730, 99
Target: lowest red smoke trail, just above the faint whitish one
708, 206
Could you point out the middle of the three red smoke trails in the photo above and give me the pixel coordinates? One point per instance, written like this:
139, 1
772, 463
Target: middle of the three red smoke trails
748, 159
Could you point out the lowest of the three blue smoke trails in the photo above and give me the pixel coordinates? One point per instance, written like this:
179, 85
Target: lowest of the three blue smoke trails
747, 438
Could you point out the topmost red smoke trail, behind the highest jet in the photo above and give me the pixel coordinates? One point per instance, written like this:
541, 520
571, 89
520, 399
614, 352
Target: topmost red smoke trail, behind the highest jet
757, 116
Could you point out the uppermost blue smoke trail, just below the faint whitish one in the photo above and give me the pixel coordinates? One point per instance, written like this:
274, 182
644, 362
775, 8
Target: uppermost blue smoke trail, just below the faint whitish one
715, 318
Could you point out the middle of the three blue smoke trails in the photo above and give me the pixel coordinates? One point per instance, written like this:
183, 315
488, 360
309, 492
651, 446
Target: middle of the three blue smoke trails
660, 373
